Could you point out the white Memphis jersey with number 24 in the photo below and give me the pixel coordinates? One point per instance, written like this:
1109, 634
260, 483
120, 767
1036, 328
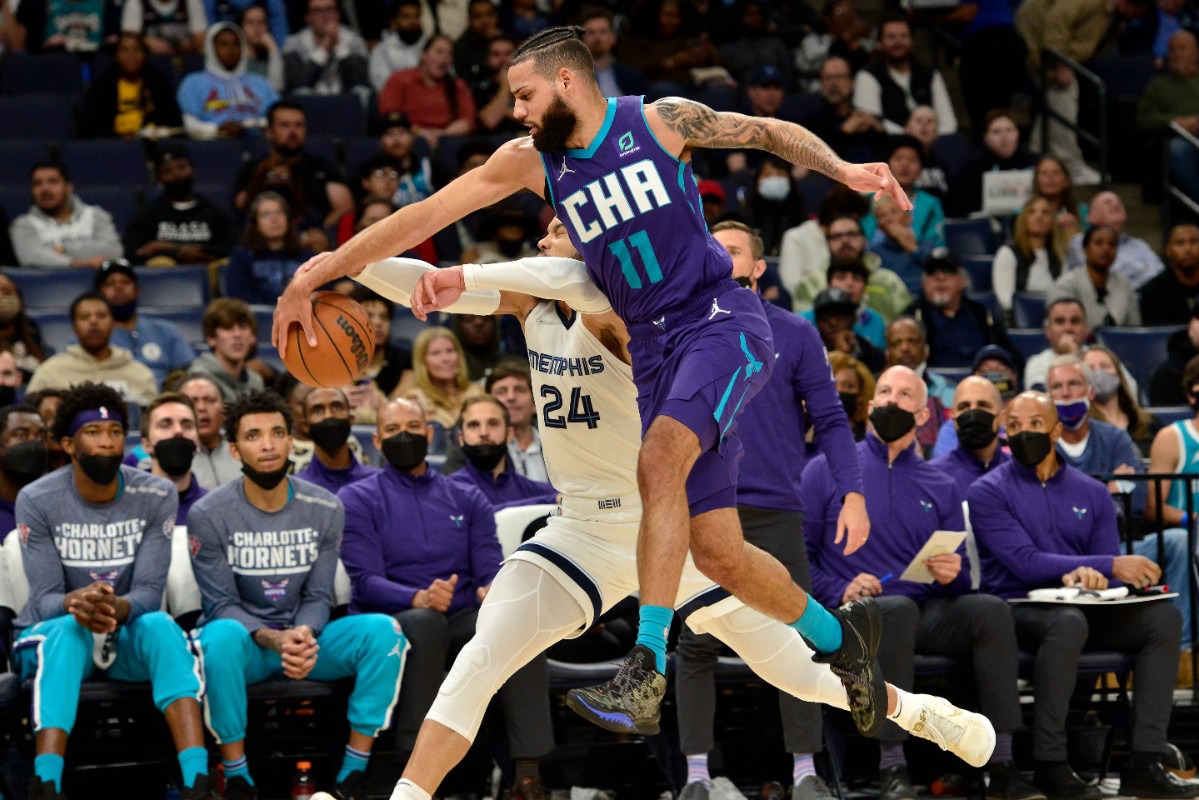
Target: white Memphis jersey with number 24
587, 406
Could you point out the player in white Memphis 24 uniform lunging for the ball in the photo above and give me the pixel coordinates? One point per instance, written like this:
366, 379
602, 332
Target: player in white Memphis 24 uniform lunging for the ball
557, 585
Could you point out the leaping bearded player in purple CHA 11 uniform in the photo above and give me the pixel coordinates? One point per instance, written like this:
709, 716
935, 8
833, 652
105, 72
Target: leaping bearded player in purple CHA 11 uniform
619, 172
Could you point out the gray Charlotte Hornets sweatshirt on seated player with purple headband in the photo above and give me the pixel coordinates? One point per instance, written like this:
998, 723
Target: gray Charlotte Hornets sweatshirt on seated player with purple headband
69, 544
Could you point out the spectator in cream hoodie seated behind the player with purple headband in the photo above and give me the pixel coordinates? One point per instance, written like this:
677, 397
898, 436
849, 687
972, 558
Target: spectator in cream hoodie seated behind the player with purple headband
95, 358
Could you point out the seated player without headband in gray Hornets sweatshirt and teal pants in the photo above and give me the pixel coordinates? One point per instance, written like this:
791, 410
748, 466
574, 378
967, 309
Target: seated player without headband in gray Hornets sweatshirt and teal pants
262, 617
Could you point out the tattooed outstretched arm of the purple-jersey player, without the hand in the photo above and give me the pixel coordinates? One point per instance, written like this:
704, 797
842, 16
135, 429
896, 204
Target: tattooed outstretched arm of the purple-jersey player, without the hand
701, 127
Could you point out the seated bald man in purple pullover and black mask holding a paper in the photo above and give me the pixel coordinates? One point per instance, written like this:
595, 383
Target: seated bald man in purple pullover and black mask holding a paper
907, 501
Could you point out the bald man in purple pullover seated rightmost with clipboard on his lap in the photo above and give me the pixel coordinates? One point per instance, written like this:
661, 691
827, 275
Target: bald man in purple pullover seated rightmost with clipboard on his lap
1040, 524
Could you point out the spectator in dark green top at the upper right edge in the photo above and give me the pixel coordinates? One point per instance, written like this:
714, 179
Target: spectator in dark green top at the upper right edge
1173, 99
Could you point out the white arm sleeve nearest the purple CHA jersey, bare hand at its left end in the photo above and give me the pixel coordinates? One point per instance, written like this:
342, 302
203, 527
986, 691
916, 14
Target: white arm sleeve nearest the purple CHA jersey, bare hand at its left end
545, 278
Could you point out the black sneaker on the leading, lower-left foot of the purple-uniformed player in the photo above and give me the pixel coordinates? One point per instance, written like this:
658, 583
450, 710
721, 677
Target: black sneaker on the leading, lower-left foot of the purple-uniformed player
630, 702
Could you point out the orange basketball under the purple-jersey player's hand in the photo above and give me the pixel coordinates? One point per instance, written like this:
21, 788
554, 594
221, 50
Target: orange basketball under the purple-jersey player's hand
345, 344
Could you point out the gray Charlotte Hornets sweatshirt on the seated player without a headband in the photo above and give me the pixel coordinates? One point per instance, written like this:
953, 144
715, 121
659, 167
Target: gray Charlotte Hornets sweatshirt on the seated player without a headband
262, 569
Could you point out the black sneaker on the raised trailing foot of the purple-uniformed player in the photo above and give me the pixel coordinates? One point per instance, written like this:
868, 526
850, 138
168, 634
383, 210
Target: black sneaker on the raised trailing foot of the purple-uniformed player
854, 664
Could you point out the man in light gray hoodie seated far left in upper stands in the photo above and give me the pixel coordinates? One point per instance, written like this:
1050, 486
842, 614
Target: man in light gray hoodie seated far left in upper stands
61, 230
